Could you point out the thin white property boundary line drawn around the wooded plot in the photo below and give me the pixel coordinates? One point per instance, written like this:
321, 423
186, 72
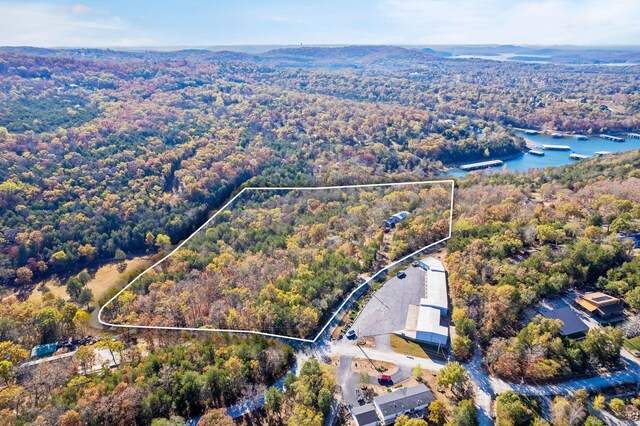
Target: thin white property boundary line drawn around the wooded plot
346, 299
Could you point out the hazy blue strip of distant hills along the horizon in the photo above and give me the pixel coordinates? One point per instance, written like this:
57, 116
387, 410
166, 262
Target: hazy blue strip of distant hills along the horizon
352, 56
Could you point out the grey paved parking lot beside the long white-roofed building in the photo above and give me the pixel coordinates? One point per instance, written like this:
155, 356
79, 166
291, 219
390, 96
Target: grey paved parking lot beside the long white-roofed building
387, 310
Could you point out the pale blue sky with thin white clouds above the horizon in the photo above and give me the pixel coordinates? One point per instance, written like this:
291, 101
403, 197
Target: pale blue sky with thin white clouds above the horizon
142, 23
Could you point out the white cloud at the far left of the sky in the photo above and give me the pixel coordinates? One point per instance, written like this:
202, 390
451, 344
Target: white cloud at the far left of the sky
50, 26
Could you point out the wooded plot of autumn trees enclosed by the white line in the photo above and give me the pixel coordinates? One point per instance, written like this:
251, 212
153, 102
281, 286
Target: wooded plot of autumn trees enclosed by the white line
282, 261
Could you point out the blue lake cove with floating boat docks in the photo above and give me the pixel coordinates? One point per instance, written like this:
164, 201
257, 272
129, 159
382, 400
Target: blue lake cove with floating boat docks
555, 158
